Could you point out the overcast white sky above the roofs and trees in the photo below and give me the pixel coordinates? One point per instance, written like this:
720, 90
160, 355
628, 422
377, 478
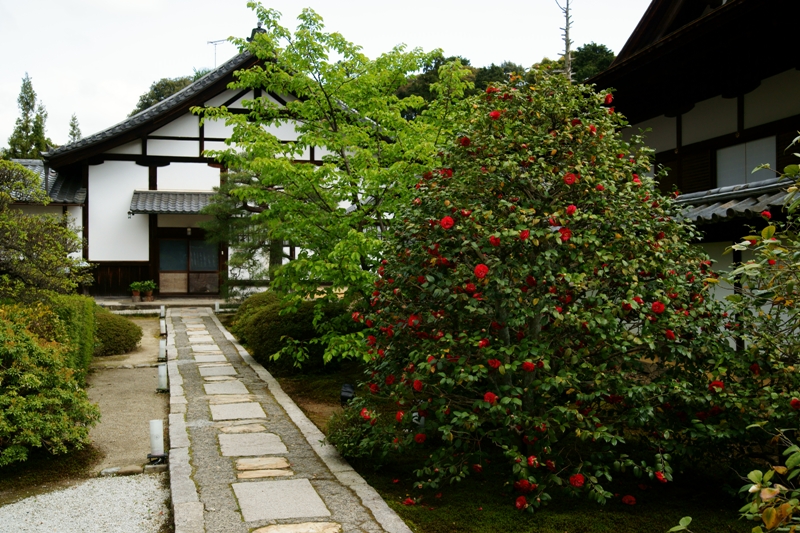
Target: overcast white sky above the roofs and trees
95, 58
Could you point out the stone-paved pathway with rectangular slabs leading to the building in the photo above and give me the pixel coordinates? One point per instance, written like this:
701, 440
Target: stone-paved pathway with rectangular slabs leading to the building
243, 457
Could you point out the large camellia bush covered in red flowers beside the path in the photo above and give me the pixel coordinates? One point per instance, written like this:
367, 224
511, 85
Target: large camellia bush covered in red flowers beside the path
540, 298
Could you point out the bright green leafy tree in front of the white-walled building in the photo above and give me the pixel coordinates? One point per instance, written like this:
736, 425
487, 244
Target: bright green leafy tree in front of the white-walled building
347, 110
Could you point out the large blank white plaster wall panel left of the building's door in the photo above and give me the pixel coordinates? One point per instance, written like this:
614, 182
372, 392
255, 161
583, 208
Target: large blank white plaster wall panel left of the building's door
112, 235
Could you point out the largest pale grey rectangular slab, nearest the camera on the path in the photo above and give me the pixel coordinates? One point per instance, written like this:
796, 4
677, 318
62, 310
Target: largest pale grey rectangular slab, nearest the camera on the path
279, 499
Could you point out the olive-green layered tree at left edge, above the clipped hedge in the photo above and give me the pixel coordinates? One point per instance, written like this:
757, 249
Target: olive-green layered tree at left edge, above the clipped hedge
34, 250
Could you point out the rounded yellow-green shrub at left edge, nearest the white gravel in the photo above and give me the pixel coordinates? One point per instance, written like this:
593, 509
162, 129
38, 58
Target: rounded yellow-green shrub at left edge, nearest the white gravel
41, 403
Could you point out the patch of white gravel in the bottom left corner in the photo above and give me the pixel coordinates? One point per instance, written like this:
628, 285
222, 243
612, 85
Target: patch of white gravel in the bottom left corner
129, 504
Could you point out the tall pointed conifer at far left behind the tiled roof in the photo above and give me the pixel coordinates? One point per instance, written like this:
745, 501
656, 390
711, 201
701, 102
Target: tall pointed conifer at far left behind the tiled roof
28, 140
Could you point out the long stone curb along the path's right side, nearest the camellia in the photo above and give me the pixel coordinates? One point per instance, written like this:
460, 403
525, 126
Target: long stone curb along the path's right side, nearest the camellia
384, 515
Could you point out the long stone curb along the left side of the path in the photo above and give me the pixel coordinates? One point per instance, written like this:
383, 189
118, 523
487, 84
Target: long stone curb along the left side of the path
186, 507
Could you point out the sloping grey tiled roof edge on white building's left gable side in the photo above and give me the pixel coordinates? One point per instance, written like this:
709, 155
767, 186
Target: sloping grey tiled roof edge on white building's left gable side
161, 107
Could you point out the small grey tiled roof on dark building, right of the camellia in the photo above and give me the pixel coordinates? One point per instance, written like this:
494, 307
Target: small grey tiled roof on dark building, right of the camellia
746, 200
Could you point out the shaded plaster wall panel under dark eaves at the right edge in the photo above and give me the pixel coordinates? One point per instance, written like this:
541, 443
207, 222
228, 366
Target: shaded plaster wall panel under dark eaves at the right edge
776, 98
